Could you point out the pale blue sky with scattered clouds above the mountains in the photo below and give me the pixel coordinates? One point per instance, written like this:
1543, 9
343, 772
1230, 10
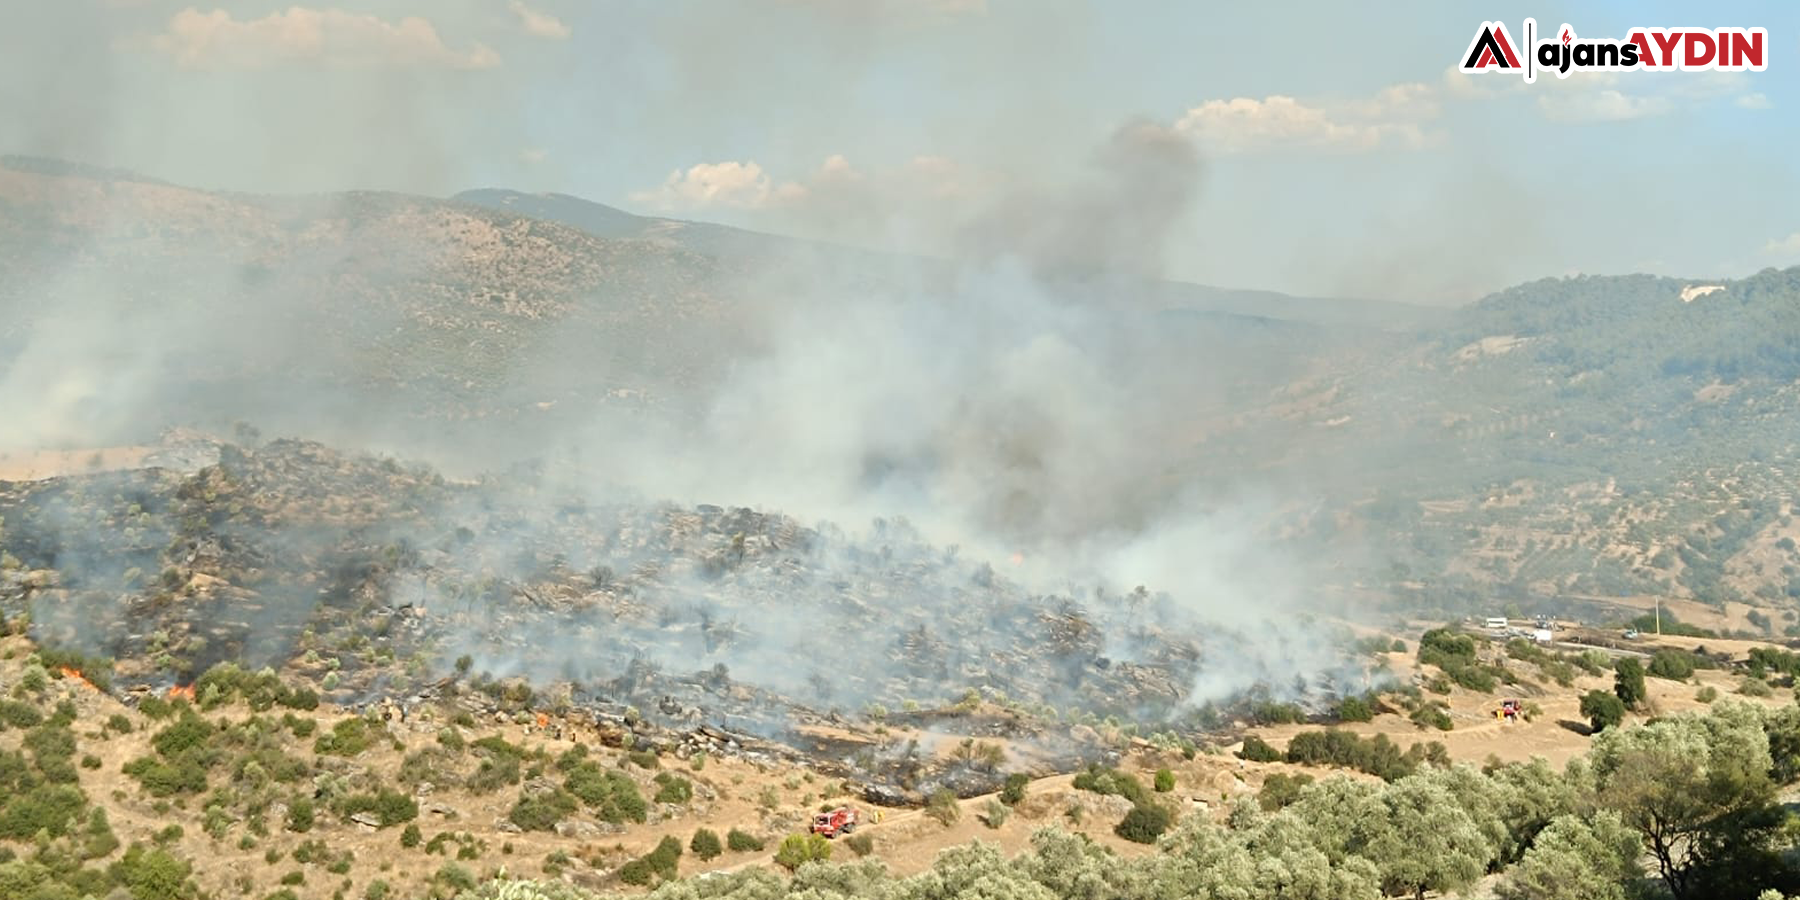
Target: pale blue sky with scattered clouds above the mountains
1340, 150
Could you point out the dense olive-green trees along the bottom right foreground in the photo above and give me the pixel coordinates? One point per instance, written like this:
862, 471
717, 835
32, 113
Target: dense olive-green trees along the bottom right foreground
1682, 805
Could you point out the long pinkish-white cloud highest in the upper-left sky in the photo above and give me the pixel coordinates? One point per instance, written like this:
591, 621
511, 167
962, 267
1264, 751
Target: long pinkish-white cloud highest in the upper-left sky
312, 37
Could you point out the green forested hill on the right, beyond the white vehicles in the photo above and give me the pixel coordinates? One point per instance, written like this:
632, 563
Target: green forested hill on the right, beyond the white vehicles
1596, 436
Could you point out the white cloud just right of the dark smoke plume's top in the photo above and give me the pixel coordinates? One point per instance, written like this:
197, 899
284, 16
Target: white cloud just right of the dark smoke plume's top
1248, 125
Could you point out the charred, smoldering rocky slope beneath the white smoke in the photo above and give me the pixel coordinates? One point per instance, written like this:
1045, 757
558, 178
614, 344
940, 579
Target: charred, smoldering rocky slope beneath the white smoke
375, 580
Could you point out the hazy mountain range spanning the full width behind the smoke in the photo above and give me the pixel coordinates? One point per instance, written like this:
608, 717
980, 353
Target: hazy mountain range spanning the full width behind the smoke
1565, 438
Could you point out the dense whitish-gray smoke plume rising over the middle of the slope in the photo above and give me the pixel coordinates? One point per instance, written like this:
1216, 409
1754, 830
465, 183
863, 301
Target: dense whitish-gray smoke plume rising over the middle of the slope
1023, 409
